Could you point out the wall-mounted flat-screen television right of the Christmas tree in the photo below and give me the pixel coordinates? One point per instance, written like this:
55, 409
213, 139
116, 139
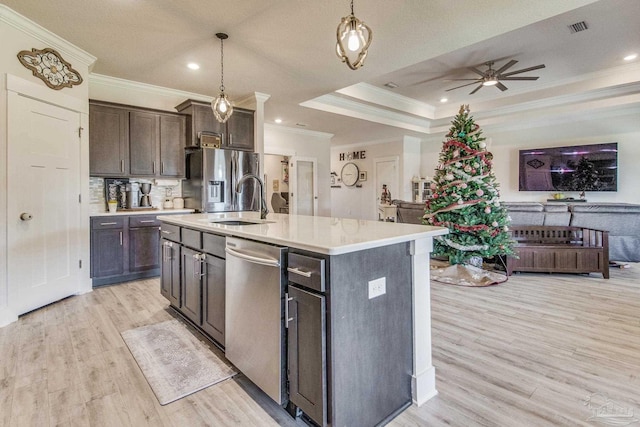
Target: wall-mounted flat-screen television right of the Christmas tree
591, 167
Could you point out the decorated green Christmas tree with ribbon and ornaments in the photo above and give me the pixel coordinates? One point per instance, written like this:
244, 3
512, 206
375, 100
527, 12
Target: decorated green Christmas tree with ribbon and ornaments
465, 197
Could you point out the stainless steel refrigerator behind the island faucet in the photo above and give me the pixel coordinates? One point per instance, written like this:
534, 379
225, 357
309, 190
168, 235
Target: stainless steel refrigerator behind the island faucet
211, 178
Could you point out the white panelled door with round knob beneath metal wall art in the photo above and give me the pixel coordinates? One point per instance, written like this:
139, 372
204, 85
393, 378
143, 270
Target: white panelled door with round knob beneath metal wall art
43, 208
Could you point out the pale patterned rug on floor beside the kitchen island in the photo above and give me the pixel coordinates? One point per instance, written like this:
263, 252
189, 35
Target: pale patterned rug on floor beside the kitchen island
174, 362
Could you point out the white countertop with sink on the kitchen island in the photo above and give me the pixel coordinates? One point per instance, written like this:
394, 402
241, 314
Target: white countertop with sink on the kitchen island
326, 235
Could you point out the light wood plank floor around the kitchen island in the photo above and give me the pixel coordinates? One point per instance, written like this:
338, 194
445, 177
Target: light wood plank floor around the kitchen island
527, 352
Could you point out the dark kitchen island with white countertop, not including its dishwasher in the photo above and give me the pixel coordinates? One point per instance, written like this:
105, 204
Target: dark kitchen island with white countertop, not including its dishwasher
355, 312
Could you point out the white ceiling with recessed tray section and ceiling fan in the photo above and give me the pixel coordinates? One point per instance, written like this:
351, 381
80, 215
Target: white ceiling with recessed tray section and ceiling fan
286, 48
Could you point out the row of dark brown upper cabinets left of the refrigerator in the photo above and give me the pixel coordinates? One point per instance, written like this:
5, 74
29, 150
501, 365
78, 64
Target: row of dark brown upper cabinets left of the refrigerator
127, 141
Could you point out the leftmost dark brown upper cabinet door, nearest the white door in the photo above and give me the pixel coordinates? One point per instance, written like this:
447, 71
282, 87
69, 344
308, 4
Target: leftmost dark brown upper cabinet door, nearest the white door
108, 140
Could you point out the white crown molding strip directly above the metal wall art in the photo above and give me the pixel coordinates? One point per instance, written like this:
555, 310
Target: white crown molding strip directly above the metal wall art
71, 52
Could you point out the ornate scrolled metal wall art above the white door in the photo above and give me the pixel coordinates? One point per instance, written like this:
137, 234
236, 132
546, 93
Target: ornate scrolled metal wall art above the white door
48, 65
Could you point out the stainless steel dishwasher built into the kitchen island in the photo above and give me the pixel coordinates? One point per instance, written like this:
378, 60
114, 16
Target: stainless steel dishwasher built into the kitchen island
254, 322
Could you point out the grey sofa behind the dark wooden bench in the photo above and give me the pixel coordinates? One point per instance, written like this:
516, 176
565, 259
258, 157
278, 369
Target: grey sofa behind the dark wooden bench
621, 220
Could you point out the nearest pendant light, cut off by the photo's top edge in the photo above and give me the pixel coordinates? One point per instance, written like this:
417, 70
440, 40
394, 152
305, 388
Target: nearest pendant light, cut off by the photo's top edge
356, 36
